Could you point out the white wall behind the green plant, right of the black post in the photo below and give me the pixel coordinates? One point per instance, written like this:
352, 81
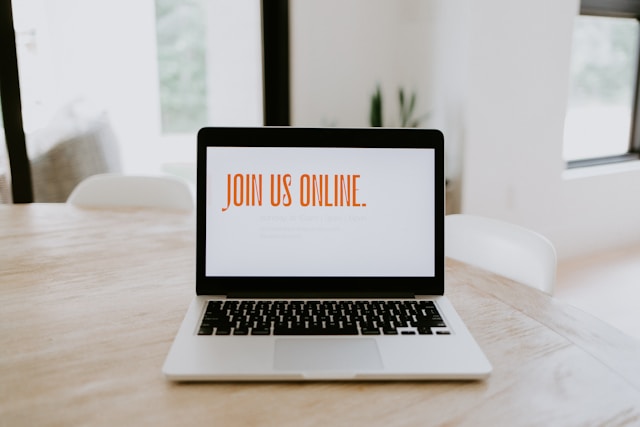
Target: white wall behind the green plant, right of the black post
341, 50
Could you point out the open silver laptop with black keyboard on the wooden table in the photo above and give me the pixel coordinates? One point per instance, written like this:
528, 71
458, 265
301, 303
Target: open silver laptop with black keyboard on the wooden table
320, 256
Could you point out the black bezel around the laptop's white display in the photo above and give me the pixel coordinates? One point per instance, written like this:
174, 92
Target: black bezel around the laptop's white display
282, 136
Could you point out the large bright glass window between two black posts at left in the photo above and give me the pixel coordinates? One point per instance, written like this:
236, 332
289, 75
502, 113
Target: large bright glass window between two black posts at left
158, 69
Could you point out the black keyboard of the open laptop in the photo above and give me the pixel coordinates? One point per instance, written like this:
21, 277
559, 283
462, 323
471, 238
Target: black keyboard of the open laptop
314, 317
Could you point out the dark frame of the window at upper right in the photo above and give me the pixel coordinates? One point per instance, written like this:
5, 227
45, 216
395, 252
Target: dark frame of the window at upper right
616, 9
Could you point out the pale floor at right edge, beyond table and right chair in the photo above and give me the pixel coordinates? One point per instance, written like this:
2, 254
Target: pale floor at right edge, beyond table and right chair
604, 285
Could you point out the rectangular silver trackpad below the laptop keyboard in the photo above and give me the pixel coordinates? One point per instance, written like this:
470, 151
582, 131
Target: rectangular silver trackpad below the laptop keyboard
327, 354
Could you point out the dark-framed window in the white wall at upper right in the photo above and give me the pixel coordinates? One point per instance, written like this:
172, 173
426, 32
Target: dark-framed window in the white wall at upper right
600, 125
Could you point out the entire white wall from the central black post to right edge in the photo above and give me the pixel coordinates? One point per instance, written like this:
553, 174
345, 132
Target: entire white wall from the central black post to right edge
495, 76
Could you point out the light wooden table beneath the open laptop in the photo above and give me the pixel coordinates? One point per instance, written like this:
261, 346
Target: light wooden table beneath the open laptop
90, 301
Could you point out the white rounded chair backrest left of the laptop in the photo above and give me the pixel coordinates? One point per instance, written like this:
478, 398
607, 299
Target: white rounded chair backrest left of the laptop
119, 190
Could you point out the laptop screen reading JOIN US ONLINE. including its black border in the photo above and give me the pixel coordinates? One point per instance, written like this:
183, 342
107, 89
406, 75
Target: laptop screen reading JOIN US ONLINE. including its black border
319, 203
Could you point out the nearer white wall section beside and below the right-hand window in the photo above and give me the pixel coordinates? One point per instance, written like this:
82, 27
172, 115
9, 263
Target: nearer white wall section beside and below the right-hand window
513, 169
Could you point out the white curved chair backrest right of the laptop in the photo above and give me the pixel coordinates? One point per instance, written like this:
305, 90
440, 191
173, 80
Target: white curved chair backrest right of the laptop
507, 249
